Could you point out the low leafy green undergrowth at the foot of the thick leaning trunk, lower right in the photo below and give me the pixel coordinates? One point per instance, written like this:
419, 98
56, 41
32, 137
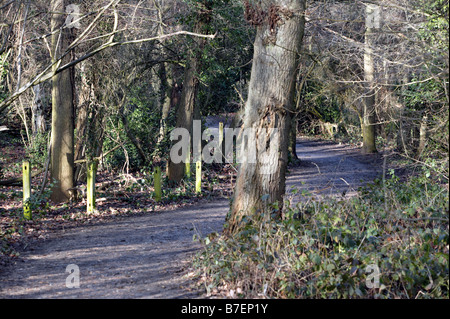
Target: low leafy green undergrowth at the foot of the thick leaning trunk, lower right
391, 241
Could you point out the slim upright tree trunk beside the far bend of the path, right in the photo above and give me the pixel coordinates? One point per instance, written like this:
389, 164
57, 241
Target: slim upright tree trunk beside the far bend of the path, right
368, 125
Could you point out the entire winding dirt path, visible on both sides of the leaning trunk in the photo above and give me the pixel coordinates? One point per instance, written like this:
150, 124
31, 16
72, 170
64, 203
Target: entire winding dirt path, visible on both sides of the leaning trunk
144, 256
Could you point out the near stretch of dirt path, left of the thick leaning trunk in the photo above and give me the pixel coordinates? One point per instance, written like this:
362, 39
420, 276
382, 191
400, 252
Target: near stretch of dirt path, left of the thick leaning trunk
134, 257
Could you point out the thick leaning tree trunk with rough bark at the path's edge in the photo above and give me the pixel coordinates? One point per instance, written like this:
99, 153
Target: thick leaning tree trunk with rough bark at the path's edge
261, 178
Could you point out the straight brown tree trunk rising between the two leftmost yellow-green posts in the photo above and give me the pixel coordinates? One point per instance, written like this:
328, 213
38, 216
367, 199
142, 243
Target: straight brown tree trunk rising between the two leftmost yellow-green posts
62, 152
